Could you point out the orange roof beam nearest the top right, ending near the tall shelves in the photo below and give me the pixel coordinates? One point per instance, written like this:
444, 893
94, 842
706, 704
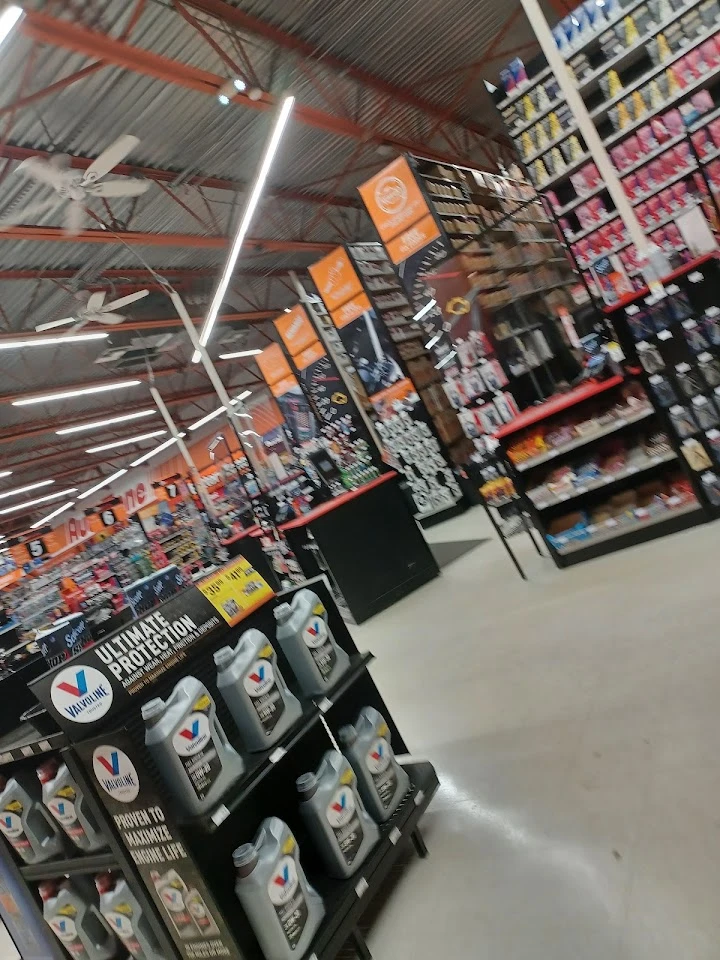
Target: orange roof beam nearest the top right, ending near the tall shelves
236, 17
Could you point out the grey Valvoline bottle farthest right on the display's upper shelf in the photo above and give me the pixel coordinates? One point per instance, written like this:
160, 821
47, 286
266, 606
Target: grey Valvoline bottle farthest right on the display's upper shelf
302, 632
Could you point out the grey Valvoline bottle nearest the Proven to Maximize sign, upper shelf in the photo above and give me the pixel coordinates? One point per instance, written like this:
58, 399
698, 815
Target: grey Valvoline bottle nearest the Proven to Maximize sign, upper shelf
190, 746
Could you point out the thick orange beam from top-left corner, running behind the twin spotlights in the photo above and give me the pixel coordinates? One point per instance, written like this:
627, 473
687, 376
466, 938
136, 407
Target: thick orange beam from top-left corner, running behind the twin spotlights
60, 33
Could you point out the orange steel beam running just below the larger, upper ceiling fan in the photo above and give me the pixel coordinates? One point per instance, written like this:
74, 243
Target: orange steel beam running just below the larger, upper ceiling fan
134, 238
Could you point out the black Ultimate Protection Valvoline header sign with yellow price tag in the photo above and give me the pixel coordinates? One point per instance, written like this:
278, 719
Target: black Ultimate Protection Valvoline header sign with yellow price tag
101, 681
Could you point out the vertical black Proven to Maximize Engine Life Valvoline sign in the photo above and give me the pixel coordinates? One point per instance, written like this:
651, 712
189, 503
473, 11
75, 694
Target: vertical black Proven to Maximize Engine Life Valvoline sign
176, 886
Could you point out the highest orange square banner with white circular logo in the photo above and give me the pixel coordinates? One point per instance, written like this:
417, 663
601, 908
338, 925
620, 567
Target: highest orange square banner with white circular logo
394, 200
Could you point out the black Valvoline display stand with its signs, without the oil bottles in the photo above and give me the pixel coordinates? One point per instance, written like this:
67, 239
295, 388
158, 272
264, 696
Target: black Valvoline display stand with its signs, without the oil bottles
165, 851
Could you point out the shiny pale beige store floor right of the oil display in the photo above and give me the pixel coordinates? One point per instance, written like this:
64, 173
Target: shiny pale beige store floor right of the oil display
573, 721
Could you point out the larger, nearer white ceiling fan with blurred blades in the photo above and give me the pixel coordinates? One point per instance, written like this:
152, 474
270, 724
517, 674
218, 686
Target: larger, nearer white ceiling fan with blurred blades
77, 186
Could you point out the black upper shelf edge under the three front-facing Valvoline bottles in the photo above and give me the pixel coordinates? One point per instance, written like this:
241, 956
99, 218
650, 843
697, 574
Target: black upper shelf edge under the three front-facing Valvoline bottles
263, 763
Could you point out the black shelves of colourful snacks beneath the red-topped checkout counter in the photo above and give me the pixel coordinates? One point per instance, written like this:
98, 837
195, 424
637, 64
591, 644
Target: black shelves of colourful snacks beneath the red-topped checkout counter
619, 481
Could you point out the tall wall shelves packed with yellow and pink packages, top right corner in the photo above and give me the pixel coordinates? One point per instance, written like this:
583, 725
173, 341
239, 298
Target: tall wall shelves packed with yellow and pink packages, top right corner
649, 73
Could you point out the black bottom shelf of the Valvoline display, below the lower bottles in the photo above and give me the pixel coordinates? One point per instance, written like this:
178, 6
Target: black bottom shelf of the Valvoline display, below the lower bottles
347, 900
